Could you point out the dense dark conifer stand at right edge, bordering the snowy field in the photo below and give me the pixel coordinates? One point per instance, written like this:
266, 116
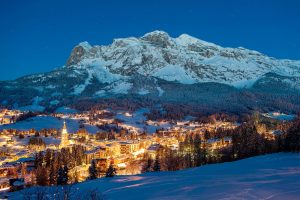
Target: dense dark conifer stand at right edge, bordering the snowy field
248, 142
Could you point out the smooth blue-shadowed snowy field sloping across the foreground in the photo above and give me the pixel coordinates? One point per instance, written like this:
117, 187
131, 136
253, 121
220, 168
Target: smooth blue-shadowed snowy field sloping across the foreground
275, 176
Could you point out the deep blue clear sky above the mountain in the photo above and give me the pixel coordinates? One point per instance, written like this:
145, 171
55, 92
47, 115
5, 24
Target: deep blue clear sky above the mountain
37, 36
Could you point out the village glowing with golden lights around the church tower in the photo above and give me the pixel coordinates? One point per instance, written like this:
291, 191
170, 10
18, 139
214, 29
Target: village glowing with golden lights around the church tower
124, 147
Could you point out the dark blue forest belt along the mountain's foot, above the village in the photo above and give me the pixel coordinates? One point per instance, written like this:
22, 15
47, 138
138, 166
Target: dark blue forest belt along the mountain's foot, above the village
235, 103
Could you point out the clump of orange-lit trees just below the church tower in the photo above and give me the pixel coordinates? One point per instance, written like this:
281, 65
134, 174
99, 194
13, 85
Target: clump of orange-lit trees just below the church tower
52, 167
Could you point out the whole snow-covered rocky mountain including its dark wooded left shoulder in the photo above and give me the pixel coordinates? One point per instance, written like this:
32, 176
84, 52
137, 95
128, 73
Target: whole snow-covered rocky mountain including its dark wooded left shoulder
147, 66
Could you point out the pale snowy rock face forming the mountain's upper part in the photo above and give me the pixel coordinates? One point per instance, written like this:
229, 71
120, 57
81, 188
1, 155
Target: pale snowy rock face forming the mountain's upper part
184, 59
